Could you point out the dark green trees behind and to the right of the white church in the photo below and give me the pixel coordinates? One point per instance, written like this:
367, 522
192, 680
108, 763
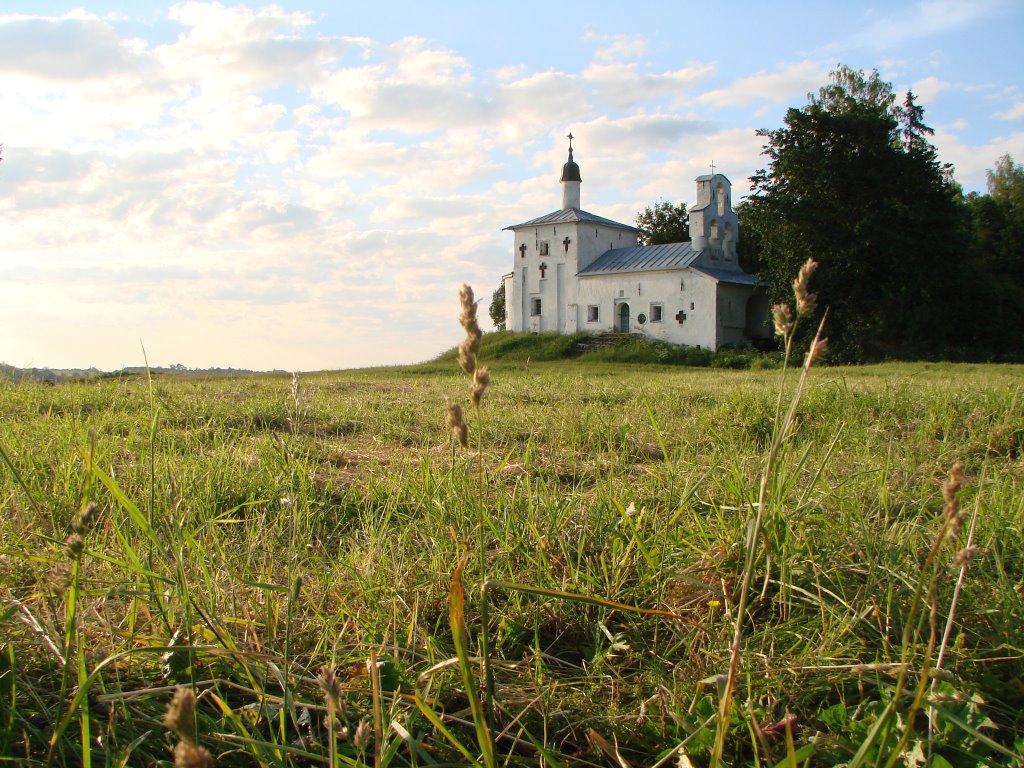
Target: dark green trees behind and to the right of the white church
911, 267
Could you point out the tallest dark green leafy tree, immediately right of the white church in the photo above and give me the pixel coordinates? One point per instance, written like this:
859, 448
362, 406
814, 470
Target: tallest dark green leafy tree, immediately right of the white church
855, 183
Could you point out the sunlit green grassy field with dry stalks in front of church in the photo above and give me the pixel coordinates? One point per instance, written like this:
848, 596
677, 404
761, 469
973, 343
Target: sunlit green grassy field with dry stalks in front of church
292, 551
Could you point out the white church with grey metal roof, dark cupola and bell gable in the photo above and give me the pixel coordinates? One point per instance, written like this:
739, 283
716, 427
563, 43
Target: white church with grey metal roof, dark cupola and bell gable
576, 272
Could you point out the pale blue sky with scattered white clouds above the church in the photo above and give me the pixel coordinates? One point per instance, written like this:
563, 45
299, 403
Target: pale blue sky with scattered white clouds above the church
305, 186
